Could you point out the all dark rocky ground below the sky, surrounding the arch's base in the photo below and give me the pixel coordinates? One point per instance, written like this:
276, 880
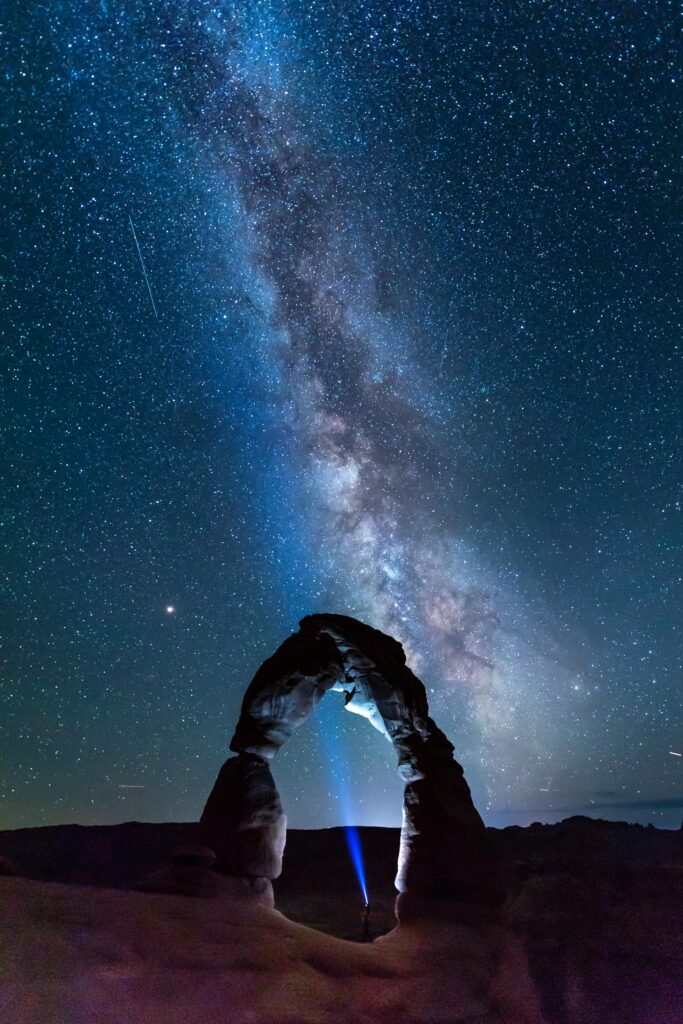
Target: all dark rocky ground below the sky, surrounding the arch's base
591, 933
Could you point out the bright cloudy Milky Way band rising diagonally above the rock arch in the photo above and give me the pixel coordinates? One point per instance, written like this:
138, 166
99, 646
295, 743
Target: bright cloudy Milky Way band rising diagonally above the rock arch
362, 425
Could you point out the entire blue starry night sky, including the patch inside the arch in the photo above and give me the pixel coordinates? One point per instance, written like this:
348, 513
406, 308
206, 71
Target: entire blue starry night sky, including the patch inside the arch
364, 307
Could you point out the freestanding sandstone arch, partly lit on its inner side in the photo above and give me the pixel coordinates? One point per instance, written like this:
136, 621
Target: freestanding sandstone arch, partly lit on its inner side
444, 848
